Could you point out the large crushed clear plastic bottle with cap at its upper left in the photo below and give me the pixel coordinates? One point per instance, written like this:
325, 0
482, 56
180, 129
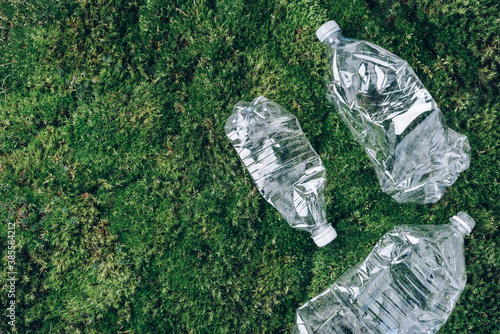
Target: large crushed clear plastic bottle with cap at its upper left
393, 117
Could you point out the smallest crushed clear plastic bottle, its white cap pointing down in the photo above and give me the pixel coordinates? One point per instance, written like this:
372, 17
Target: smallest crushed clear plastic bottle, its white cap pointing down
286, 169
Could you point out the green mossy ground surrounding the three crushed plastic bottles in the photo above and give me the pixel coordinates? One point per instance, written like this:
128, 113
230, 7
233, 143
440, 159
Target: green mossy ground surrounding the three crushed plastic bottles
133, 212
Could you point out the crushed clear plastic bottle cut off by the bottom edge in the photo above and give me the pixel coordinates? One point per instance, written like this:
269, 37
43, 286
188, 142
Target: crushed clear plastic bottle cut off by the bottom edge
409, 283
